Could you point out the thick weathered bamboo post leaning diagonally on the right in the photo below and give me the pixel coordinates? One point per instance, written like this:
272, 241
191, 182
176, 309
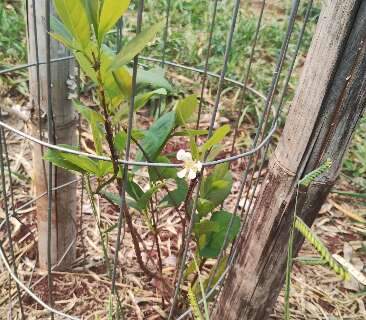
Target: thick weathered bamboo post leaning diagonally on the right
329, 101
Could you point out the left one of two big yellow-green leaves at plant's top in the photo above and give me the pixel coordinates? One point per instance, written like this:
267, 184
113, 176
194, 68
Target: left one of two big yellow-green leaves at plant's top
73, 14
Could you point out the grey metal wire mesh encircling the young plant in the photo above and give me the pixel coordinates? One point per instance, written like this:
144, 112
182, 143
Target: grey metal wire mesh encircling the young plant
252, 160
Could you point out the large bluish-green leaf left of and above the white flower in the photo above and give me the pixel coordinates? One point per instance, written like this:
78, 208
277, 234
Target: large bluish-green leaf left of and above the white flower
156, 137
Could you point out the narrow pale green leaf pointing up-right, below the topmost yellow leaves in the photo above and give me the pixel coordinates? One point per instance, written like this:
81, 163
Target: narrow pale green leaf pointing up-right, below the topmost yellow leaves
135, 46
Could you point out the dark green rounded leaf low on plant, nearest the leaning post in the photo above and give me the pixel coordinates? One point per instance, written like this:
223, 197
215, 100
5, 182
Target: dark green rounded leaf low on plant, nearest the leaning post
212, 243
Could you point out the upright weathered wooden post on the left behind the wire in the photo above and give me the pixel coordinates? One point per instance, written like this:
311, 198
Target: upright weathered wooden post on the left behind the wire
63, 231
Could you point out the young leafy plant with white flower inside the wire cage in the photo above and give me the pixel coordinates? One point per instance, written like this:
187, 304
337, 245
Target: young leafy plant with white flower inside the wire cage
82, 27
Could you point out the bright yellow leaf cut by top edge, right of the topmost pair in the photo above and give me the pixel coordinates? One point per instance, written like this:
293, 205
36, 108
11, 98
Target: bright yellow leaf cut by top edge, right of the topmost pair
111, 11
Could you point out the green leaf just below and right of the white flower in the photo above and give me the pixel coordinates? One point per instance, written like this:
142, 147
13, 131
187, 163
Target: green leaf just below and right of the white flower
217, 185
